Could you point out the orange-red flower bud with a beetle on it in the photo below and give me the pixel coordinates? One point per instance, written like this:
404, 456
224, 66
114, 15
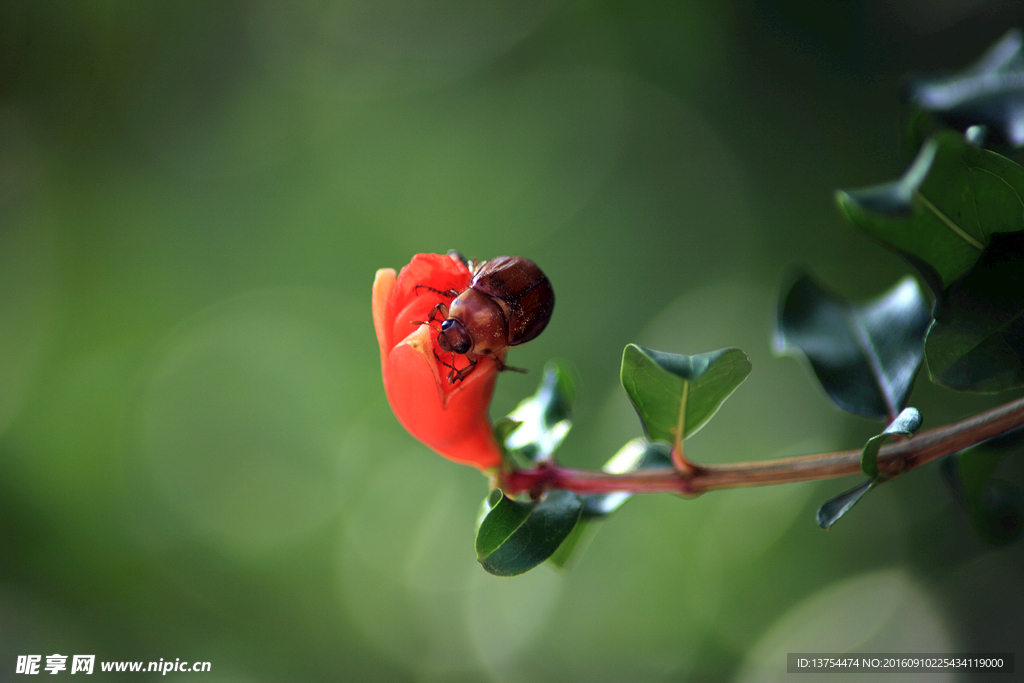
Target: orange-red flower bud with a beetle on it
451, 419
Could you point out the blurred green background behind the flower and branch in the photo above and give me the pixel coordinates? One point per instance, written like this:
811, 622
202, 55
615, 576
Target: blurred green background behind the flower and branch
197, 460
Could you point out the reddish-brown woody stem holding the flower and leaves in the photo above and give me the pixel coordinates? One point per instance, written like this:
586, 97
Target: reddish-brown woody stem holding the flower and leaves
894, 459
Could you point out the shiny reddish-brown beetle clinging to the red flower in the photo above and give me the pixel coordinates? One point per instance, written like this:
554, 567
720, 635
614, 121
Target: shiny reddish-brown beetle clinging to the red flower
508, 303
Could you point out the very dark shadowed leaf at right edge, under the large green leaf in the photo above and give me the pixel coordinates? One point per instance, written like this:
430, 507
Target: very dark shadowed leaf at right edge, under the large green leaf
977, 343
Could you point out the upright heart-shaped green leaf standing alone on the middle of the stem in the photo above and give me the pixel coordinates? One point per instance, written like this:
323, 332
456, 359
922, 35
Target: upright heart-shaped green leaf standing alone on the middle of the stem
675, 395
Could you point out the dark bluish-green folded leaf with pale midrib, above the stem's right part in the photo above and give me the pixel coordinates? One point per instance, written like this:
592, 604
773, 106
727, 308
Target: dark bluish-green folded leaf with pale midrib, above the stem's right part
866, 357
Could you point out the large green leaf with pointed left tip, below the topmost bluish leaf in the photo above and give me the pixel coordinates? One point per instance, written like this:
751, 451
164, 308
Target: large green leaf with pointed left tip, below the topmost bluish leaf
944, 211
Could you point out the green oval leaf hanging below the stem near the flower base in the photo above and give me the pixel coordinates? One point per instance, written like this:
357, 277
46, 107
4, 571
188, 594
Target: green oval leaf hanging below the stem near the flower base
516, 537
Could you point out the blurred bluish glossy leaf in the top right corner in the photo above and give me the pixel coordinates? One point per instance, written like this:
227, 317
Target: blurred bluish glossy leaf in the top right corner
991, 93
